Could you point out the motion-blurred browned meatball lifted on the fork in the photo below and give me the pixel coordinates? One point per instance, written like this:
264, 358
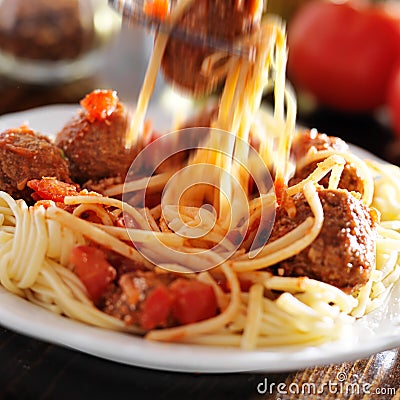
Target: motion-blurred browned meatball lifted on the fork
226, 20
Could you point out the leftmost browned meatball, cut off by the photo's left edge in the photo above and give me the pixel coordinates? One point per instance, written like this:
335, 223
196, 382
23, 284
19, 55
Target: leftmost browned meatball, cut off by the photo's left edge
26, 155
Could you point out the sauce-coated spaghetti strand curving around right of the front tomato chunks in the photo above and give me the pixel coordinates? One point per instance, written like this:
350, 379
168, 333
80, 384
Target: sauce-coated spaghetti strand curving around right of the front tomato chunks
209, 325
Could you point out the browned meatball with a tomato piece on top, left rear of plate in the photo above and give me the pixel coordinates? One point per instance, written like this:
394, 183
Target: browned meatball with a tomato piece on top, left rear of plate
94, 139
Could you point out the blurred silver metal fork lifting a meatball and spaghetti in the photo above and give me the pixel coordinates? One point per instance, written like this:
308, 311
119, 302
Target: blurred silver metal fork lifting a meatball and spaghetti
132, 12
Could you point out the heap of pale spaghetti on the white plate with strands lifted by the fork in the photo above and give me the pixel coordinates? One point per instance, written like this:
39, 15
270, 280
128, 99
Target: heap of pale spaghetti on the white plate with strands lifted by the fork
256, 303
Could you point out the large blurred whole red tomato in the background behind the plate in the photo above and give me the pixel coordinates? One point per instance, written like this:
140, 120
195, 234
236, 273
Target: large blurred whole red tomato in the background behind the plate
343, 53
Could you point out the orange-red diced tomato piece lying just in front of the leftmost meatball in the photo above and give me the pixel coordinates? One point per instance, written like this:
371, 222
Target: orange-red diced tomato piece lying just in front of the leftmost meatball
52, 189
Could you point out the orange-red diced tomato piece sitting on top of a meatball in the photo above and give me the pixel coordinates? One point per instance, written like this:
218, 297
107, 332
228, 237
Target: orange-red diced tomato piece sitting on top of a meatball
100, 104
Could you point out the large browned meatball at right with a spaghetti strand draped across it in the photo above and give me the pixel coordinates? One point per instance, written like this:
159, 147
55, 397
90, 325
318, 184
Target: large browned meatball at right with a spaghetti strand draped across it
343, 254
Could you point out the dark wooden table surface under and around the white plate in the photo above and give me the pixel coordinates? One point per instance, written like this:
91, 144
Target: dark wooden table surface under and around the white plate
32, 369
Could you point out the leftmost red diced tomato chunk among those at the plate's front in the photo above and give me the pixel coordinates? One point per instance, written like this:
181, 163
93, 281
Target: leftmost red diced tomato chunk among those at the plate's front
93, 269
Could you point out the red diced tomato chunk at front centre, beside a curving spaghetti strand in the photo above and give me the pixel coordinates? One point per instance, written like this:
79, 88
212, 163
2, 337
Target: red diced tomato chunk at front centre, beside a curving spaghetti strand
193, 301
